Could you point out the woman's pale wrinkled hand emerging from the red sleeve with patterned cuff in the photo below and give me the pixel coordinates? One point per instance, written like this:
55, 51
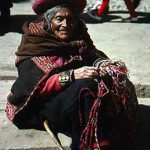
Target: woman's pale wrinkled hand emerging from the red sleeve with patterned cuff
86, 72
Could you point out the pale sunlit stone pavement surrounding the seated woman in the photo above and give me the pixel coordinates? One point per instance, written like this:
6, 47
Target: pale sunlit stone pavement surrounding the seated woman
126, 41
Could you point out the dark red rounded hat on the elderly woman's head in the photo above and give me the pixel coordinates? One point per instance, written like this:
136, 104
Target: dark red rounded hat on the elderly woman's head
40, 6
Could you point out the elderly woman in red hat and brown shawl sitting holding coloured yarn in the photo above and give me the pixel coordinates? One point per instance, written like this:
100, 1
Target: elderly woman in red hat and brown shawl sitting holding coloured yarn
64, 80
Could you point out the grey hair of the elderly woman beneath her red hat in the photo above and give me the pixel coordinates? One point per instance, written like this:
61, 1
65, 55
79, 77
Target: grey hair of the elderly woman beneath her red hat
48, 15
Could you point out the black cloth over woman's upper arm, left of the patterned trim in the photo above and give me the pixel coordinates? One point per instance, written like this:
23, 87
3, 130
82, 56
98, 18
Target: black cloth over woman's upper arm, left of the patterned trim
28, 76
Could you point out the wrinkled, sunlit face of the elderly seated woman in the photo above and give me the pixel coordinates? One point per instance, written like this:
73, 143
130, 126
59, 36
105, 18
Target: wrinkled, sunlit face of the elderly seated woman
63, 24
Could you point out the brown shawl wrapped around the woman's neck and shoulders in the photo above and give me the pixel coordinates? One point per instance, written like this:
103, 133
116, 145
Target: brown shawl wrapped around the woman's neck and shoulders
37, 42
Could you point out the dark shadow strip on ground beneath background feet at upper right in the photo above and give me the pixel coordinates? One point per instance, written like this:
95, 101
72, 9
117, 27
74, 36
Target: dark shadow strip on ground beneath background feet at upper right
115, 16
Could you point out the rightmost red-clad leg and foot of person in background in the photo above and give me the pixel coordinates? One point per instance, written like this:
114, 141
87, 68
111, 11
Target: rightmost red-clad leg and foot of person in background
133, 16
